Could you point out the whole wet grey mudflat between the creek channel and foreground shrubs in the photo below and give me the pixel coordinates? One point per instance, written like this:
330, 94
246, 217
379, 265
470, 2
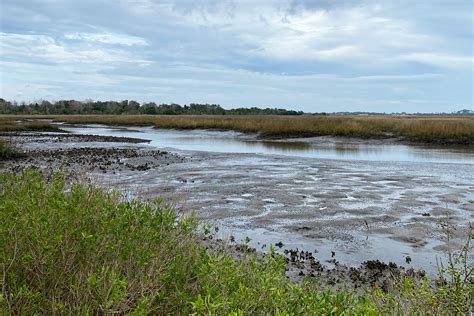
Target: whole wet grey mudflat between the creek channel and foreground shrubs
338, 212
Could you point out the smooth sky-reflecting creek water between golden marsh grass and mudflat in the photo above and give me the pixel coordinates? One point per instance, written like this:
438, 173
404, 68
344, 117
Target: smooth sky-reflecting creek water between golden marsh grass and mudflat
233, 142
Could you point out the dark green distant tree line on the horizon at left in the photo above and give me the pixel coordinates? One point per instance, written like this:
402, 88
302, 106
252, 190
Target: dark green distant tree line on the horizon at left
130, 107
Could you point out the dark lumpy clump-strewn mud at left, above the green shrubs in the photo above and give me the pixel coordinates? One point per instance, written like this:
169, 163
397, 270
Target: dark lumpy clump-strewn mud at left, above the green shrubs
84, 156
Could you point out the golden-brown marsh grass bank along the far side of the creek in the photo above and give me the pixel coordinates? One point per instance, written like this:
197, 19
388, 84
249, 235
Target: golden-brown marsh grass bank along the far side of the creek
458, 130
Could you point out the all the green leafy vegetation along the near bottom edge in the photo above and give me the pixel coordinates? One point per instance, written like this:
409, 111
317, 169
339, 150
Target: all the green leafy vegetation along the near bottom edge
73, 248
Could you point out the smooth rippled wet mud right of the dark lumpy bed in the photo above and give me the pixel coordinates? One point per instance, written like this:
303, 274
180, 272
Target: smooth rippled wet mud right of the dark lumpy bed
361, 210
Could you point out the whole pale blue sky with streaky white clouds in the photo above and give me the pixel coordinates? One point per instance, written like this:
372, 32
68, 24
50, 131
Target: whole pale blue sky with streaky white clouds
319, 55
